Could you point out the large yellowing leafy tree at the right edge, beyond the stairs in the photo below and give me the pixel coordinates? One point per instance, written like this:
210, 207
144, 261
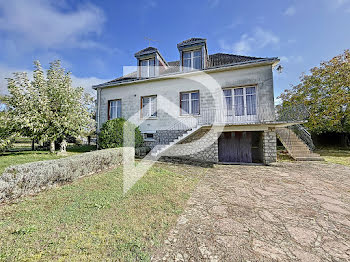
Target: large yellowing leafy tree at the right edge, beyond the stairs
324, 96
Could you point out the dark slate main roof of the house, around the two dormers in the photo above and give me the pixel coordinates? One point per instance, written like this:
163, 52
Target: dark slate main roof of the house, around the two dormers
214, 61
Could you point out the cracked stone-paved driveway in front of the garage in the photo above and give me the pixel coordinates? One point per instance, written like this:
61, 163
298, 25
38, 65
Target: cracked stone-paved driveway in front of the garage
287, 212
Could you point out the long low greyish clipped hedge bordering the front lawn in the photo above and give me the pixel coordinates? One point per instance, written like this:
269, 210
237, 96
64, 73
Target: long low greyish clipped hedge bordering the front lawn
30, 178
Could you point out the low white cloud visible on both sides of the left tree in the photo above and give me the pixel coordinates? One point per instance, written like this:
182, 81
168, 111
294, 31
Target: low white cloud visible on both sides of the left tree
85, 82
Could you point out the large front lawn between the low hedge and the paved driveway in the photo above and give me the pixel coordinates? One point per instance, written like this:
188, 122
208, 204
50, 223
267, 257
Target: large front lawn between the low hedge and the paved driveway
91, 220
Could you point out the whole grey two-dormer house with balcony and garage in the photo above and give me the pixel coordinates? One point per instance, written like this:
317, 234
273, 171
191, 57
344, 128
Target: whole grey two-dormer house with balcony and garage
215, 108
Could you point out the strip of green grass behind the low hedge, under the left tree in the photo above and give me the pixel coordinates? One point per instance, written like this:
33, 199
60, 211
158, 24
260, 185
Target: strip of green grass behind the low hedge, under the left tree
16, 158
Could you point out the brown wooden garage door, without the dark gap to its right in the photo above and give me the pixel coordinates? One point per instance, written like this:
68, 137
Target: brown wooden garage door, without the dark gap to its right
235, 147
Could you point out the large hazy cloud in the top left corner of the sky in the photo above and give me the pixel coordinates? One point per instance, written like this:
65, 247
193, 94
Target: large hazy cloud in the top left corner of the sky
41, 24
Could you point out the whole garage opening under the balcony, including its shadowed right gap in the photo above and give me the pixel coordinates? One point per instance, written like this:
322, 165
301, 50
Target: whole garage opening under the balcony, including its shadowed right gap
240, 147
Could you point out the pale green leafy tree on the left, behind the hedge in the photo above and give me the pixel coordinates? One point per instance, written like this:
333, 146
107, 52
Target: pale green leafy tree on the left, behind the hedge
48, 108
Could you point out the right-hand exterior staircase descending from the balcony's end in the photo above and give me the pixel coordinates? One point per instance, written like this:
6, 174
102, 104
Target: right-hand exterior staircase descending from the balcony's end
296, 147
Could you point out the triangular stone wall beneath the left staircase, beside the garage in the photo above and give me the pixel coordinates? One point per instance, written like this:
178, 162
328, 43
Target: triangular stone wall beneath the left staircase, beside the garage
201, 146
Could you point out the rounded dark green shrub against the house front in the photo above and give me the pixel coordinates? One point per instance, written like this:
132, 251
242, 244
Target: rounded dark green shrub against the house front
112, 134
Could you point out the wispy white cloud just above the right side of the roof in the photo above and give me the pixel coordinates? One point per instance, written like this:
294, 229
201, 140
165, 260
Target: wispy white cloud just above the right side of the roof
247, 44
